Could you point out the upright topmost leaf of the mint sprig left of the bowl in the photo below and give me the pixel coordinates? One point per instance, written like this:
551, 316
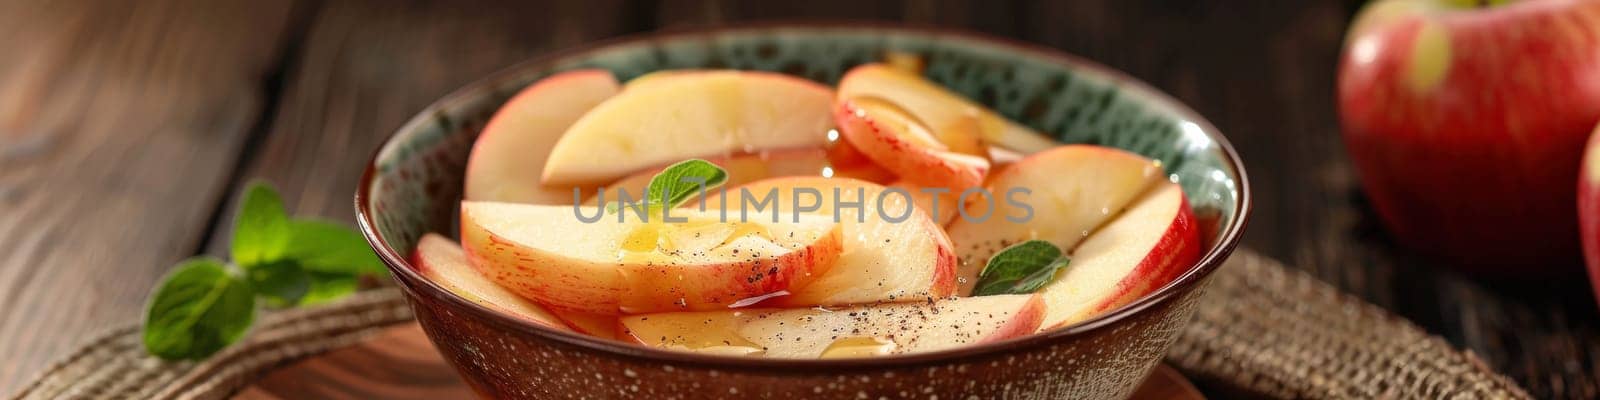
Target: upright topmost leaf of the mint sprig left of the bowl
262, 230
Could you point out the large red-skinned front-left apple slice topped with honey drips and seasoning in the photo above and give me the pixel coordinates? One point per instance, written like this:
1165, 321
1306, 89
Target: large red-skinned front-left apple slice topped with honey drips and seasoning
609, 266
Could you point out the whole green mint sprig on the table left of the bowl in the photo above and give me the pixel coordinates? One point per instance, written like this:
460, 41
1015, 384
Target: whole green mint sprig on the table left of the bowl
206, 305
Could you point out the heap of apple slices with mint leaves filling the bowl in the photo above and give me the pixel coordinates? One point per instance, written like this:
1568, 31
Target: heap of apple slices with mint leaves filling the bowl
935, 258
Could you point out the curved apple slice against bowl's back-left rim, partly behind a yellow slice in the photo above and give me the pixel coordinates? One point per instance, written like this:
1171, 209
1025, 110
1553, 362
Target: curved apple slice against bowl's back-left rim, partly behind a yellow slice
510, 156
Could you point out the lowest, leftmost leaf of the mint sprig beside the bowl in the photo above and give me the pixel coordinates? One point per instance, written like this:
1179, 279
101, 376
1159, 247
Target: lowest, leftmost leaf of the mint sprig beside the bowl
198, 310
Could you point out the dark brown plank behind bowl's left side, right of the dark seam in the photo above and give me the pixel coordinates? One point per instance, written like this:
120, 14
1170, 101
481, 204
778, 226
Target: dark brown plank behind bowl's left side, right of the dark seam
369, 66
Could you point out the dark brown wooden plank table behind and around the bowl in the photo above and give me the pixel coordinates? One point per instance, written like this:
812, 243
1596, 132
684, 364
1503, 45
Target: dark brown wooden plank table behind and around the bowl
126, 129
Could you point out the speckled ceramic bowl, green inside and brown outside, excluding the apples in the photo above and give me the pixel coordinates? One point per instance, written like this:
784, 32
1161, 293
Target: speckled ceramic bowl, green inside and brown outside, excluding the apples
414, 186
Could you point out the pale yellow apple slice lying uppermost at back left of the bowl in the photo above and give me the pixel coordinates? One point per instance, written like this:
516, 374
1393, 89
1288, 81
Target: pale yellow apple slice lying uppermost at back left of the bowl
686, 116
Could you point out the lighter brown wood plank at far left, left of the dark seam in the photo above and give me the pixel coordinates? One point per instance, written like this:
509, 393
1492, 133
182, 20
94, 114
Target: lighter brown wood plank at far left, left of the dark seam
119, 126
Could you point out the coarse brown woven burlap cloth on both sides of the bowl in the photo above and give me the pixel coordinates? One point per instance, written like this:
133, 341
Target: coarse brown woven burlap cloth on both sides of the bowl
1262, 329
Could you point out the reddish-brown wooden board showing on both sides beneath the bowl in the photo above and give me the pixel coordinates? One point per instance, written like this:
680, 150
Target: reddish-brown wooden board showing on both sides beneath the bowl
402, 364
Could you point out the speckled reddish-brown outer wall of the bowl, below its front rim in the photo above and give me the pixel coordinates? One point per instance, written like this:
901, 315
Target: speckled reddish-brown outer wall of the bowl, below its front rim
502, 362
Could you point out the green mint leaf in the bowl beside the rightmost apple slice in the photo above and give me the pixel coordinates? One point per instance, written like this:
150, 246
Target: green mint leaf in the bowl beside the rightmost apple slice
1018, 270
